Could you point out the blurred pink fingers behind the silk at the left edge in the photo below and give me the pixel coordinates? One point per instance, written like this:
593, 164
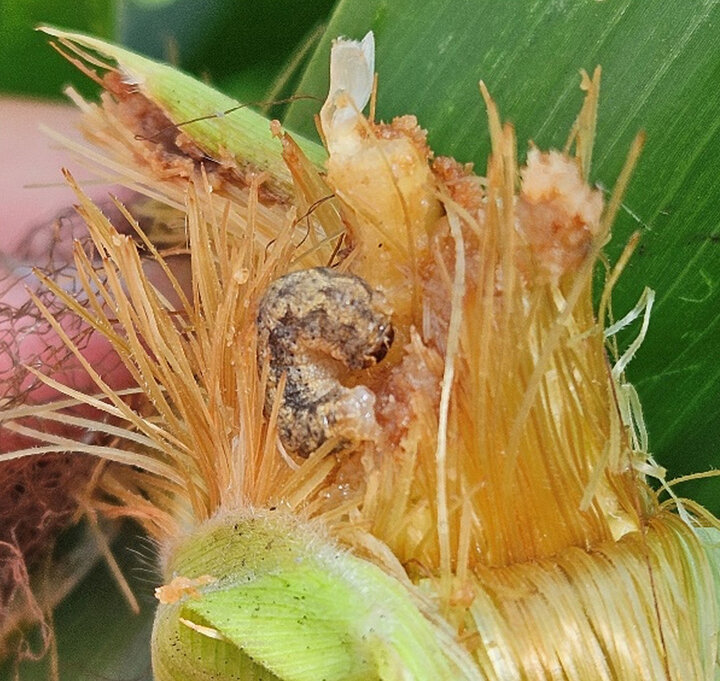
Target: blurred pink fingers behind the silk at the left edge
26, 234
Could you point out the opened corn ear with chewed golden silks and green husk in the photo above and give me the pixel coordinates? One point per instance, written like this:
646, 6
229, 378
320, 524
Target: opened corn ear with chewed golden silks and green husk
509, 488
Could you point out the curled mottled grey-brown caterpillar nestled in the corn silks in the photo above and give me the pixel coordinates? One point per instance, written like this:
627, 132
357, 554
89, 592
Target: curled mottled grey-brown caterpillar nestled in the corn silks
309, 323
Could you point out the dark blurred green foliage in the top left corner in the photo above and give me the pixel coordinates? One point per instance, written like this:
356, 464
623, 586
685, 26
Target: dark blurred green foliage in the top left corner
242, 47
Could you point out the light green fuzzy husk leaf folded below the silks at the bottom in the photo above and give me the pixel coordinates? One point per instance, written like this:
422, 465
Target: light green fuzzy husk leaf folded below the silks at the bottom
299, 607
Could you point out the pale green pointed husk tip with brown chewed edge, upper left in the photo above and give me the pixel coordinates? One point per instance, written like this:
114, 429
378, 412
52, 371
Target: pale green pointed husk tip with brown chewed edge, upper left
203, 113
